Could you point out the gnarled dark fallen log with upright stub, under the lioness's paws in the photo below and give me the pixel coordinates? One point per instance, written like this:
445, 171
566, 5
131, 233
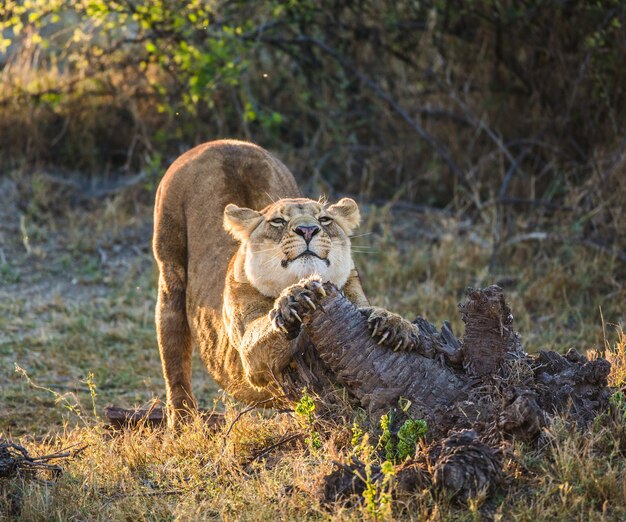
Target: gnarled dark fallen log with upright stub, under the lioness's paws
484, 378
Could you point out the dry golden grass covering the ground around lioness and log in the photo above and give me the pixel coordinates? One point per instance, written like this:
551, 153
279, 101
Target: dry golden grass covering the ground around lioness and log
77, 297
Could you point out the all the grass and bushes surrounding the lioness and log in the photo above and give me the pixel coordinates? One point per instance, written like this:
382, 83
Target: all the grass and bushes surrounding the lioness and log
485, 142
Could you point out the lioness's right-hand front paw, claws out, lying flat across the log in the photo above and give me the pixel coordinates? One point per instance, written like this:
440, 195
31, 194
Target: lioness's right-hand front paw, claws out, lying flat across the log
391, 329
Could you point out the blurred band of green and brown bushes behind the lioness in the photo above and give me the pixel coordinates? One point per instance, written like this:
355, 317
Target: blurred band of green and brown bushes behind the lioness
437, 102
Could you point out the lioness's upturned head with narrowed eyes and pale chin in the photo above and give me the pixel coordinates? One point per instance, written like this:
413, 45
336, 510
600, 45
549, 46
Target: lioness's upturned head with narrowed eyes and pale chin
292, 239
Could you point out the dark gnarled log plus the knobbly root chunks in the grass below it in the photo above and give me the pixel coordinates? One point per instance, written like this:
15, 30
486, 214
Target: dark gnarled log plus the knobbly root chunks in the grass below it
471, 391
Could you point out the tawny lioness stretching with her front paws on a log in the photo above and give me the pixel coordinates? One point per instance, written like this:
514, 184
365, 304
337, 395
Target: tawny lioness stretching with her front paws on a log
241, 258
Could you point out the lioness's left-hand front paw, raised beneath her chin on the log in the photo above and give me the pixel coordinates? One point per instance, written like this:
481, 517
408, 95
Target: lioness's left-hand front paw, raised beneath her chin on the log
294, 303
